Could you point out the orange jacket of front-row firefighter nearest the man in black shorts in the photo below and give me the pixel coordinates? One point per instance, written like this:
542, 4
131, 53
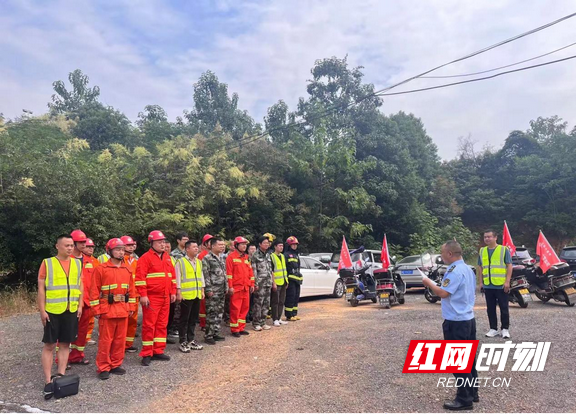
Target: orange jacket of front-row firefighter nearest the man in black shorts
116, 280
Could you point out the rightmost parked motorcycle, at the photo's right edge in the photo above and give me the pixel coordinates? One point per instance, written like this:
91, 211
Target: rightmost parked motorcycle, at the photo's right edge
557, 283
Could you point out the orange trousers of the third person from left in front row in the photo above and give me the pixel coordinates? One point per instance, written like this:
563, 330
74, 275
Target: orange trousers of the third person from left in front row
154, 323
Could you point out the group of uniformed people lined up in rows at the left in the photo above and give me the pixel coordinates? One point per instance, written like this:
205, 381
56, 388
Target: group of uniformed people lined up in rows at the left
202, 280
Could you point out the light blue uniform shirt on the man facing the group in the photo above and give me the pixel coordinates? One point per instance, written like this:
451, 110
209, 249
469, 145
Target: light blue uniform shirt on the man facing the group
460, 281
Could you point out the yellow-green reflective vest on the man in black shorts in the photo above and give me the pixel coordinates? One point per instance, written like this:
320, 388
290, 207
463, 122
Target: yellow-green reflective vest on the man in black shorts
62, 291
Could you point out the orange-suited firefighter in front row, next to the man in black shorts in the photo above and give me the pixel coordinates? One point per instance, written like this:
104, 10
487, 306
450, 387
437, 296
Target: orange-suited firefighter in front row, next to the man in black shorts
110, 294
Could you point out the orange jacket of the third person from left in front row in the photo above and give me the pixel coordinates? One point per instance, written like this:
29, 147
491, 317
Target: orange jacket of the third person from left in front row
155, 275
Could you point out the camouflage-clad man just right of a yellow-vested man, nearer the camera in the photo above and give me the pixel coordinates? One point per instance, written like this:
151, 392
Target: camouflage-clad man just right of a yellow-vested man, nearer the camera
214, 270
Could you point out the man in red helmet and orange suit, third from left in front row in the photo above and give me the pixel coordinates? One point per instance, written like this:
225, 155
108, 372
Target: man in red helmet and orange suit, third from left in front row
156, 285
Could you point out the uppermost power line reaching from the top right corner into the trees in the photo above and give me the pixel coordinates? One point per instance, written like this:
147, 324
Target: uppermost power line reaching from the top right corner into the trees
255, 137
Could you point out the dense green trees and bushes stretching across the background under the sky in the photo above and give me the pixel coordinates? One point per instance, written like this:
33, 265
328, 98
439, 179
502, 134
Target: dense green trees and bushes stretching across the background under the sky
322, 170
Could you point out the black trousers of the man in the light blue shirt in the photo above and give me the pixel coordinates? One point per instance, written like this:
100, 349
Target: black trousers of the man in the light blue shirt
463, 331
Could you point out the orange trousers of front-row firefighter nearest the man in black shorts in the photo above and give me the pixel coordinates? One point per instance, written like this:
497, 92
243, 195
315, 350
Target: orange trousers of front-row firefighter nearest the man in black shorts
112, 334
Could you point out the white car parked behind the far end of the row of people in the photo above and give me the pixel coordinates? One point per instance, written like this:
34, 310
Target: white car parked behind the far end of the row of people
319, 279
